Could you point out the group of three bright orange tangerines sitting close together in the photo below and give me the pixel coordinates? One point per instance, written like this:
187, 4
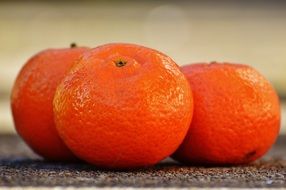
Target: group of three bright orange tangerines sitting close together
128, 106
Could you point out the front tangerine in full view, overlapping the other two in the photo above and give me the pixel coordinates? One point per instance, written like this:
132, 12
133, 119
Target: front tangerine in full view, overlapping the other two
123, 106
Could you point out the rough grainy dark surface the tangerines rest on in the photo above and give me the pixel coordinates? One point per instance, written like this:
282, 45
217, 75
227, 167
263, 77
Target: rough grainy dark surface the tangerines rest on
20, 167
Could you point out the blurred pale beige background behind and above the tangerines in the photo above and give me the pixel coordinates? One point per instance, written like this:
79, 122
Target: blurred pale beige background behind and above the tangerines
250, 32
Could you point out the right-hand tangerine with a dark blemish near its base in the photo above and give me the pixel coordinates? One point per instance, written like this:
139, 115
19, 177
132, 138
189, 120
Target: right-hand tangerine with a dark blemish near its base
236, 115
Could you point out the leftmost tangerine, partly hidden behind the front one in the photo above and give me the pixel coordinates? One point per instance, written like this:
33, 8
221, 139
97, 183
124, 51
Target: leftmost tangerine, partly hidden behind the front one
31, 101
